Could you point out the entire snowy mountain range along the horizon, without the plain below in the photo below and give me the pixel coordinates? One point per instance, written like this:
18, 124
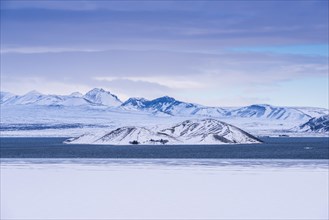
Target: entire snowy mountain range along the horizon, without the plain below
167, 106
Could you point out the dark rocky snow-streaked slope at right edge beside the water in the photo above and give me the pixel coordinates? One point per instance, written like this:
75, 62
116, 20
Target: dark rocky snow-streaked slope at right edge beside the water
318, 124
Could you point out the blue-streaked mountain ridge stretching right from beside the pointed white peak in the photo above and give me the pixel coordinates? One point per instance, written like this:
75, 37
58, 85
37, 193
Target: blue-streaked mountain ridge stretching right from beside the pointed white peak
172, 106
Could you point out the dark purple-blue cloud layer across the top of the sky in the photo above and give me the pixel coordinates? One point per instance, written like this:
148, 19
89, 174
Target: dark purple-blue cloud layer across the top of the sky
202, 26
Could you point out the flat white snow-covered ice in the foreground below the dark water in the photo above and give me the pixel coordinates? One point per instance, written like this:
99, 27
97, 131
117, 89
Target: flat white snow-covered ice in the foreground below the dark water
163, 189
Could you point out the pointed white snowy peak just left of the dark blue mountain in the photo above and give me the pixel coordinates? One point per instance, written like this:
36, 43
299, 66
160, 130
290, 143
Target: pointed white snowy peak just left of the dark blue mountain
102, 97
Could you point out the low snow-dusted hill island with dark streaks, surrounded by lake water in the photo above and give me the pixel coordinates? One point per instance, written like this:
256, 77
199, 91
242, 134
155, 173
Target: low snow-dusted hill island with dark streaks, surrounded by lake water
197, 131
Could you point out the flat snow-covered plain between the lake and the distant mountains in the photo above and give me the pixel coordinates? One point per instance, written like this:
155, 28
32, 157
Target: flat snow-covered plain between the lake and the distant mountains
101, 118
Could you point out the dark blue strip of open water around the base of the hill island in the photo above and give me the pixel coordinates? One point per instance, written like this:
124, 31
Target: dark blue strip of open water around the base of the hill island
272, 148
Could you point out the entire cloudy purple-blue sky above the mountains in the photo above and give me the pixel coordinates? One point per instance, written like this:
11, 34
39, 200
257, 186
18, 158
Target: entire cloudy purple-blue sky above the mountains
215, 53
